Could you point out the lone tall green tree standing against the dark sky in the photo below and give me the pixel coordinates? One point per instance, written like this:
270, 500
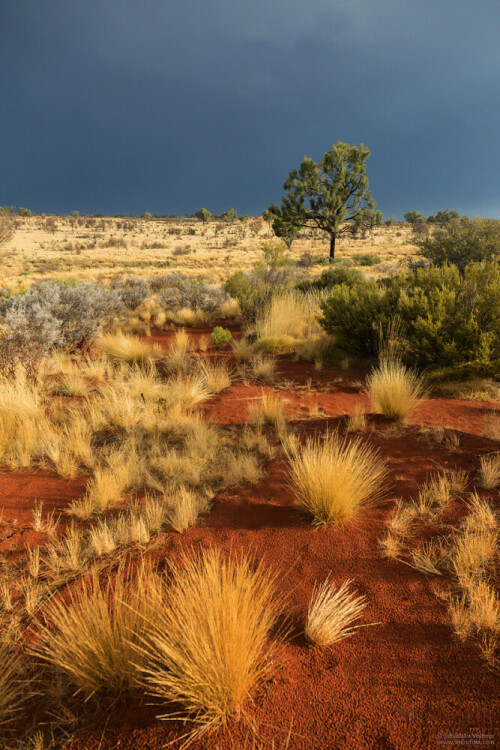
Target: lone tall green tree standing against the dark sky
330, 194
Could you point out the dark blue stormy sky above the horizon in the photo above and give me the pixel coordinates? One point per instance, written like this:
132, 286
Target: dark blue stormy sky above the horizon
125, 106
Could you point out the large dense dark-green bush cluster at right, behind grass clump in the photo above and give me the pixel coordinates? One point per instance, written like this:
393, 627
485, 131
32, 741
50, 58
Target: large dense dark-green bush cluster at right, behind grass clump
448, 318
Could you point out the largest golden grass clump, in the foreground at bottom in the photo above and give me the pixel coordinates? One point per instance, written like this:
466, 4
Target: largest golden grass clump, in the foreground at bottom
207, 645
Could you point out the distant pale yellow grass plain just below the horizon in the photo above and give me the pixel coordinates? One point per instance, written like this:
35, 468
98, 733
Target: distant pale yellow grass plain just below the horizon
141, 246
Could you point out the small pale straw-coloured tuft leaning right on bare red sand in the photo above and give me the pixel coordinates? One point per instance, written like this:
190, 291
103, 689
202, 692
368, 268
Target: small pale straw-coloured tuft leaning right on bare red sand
332, 613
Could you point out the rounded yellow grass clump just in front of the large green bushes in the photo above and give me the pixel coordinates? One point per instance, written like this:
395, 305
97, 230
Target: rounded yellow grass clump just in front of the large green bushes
394, 390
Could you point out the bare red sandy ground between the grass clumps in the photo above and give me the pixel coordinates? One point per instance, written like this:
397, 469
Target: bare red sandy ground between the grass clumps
400, 684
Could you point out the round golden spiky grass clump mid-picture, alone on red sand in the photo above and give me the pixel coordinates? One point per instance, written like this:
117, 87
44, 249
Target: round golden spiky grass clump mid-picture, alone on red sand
332, 478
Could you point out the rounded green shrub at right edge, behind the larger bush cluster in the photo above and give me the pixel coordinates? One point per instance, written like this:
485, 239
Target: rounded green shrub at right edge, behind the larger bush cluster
461, 241
